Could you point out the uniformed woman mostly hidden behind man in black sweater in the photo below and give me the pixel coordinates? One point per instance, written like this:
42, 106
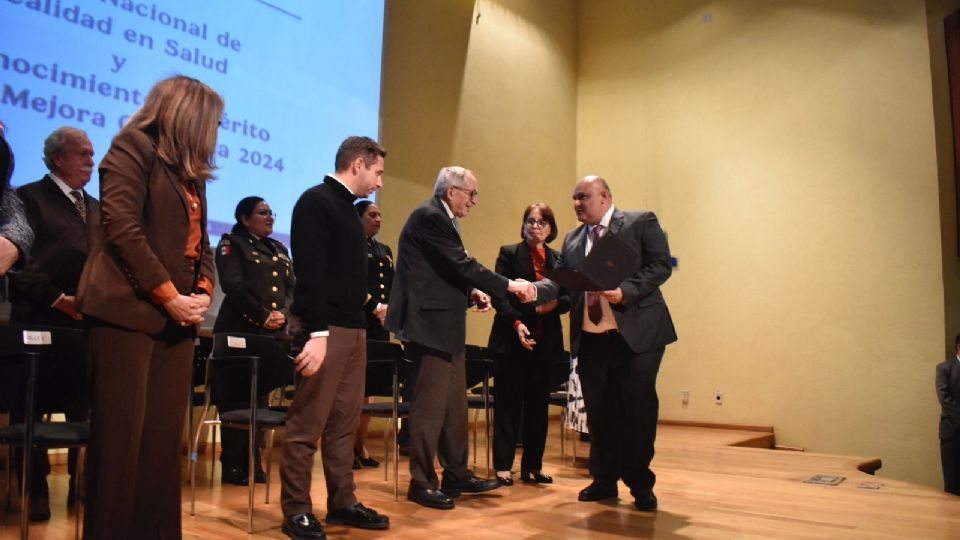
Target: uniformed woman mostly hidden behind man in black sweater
379, 279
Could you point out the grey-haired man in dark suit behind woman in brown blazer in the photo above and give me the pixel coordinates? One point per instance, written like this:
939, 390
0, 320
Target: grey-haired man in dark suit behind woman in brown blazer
66, 221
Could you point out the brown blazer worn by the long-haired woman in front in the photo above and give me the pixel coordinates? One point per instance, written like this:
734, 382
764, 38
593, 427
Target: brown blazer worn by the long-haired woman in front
145, 228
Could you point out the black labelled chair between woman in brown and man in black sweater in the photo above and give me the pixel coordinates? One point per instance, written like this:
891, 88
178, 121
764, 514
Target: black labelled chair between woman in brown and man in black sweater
244, 367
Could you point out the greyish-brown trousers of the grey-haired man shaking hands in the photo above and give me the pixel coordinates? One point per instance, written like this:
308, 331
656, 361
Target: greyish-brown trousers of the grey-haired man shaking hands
438, 416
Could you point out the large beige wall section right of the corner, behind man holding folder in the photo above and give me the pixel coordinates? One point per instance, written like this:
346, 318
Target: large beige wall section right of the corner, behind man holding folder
789, 150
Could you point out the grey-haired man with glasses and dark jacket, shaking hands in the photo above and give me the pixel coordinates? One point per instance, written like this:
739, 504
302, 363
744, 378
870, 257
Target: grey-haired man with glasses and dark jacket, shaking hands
434, 284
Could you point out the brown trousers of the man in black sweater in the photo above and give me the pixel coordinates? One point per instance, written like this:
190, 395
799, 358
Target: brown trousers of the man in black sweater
326, 405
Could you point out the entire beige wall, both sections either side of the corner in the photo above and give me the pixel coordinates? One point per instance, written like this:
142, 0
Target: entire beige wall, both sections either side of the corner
790, 150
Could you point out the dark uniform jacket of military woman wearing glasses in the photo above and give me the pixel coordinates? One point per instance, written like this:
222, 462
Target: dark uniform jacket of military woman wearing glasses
256, 277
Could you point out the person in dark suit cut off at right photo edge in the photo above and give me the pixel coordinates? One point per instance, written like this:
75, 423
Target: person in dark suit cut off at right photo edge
948, 393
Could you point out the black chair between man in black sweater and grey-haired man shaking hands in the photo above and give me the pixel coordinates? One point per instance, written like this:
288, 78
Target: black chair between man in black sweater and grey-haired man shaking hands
385, 362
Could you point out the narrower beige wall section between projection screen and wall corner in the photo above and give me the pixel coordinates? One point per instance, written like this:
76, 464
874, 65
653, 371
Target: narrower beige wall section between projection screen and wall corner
490, 86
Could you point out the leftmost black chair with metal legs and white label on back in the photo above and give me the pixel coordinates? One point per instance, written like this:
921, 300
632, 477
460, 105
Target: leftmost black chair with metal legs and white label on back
25, 351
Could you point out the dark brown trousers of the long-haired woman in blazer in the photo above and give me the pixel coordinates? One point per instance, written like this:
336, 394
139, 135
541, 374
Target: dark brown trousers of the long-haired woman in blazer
139, 401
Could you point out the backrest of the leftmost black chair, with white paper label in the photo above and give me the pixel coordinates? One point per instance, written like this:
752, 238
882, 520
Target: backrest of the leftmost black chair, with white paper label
54, 349
